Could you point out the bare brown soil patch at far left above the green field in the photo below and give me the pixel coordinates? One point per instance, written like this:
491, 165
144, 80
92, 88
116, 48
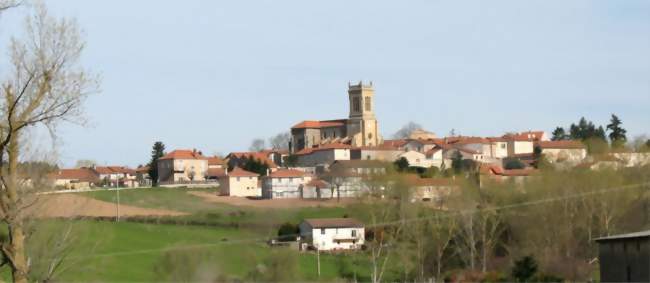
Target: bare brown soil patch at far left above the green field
73, 205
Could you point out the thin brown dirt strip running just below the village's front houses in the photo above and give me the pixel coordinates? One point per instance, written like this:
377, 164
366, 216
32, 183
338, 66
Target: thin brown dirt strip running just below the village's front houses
270, 203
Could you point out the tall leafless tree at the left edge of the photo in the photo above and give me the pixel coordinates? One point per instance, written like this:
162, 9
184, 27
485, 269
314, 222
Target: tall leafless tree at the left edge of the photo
45, 86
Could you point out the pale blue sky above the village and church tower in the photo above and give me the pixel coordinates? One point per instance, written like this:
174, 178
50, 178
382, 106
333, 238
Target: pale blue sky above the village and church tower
213, 75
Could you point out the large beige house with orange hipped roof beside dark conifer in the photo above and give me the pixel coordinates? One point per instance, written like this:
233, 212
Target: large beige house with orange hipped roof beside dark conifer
182, 166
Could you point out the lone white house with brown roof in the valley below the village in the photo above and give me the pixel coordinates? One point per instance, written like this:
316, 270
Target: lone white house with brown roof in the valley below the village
332, 234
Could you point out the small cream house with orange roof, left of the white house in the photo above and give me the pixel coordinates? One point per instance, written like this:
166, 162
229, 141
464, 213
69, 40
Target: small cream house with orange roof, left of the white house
240, 183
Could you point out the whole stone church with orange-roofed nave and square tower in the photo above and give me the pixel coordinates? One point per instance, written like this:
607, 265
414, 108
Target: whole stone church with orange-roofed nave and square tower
360, 129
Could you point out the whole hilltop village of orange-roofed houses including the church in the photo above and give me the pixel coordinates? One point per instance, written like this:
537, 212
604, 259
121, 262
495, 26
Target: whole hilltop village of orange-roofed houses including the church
331, 159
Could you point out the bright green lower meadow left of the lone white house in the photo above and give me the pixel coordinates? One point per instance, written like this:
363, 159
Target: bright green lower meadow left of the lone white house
120, 252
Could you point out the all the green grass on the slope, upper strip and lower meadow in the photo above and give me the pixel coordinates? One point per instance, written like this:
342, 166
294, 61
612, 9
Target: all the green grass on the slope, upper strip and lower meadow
104, 251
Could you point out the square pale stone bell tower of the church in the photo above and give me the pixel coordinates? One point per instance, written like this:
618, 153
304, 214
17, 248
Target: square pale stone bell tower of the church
362, 125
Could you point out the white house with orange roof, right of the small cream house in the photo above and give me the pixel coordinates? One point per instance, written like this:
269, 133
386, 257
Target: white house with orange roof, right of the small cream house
284, 183
